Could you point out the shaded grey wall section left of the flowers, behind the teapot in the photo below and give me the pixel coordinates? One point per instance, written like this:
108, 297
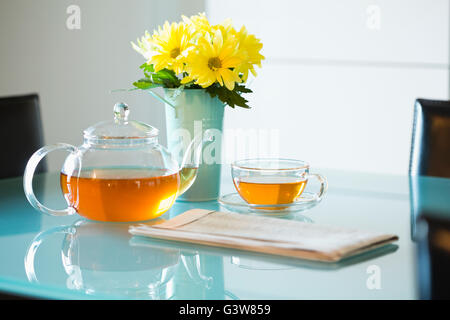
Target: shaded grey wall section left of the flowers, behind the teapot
74, 70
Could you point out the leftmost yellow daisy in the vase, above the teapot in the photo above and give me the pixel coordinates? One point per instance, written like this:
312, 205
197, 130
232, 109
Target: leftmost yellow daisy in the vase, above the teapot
172, 44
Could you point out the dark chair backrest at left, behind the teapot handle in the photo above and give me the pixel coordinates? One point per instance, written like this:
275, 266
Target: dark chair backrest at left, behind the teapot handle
21, 132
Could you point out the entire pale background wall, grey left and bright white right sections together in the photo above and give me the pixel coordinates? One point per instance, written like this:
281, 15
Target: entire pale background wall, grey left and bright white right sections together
338, 90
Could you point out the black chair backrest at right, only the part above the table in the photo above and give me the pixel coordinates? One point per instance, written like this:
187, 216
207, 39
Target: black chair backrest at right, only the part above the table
430, 146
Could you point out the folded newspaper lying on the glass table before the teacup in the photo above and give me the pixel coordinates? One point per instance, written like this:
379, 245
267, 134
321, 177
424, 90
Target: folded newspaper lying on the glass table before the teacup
263, 234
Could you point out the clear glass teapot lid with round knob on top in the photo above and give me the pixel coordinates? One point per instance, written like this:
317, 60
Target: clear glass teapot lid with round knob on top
120, 128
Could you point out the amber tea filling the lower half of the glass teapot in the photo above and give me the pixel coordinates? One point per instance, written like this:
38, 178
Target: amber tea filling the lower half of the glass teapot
149, 193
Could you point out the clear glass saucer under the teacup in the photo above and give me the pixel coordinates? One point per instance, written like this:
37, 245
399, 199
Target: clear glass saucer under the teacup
234, 202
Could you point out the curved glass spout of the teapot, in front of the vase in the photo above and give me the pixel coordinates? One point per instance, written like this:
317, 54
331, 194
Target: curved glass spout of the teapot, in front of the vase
191, 161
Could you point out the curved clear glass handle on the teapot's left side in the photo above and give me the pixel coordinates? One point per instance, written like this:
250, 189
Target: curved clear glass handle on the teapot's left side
28, 179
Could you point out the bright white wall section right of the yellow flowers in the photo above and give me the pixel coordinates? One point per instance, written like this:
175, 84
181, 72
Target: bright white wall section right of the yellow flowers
341, 77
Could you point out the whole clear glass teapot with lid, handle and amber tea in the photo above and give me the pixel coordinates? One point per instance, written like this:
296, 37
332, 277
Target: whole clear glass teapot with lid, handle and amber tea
120, 173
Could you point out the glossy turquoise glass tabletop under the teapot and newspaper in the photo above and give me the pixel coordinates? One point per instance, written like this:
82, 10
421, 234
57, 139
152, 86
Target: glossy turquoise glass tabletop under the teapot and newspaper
72, 258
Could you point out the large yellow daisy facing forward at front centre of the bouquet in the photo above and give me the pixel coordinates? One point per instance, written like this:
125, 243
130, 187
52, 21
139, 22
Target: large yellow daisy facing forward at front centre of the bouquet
214, 60
